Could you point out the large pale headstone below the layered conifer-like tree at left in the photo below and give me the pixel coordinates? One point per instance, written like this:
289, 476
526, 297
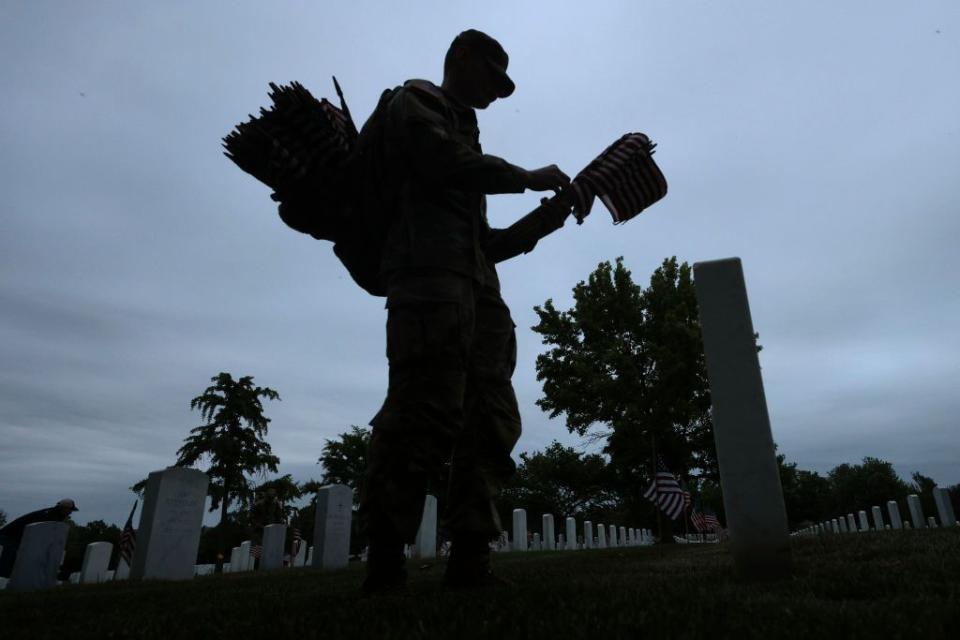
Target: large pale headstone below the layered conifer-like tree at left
169, 533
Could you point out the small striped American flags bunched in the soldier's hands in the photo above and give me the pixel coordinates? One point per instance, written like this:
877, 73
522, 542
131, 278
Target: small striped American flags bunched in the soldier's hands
624, 177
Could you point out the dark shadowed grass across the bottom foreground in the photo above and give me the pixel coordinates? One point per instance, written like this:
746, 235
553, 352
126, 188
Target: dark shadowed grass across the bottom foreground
887, 585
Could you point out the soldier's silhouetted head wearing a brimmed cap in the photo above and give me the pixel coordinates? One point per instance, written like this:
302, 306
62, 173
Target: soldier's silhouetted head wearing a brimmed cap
475, 70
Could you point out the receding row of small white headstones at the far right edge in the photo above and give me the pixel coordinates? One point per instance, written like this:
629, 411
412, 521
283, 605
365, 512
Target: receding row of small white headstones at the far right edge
851, 524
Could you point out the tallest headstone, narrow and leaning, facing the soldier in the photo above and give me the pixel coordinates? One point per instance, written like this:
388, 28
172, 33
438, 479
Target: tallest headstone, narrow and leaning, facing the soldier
749, 474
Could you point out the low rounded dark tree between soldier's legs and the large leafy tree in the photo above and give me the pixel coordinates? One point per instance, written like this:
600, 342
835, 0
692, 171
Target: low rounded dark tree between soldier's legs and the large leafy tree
561, 481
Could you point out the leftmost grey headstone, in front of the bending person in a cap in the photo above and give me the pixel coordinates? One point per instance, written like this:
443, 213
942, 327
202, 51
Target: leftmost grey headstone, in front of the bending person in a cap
38, 558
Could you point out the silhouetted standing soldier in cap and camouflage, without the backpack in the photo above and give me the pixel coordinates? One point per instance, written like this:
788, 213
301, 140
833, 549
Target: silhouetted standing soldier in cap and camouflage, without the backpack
450, 339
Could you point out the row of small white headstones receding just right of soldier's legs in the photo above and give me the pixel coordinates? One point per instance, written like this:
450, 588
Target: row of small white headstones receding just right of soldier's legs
606, 535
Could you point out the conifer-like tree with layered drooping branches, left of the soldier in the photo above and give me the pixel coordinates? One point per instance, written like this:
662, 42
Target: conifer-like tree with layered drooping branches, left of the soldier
232, 440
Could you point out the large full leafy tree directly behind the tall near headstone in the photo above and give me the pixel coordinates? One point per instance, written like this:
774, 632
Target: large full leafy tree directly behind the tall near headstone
631, 359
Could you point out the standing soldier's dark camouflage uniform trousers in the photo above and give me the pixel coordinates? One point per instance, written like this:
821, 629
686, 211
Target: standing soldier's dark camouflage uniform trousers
451, 347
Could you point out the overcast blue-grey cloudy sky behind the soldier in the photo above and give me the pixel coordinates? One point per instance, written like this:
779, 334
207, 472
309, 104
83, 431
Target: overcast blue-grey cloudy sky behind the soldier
817, 141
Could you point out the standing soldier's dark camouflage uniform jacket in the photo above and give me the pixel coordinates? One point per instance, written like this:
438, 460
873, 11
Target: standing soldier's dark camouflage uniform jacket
438, 177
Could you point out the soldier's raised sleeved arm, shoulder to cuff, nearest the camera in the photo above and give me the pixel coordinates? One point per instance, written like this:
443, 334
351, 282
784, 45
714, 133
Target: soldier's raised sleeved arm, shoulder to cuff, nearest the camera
436, 156
